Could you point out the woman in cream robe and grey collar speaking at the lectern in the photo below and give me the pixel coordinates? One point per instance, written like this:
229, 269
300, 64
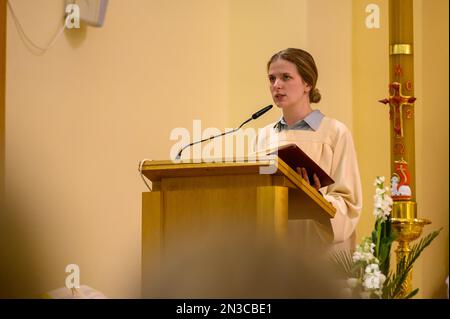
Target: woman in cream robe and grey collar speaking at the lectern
293, 76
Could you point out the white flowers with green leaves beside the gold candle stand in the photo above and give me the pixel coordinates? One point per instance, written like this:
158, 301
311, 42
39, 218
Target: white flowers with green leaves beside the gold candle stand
367, 269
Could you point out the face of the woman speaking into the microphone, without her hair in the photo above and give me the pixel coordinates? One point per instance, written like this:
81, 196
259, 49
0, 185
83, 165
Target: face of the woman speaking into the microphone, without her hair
286, 85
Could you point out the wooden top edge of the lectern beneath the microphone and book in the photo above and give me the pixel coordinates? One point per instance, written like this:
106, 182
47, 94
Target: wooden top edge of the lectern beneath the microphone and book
157, 170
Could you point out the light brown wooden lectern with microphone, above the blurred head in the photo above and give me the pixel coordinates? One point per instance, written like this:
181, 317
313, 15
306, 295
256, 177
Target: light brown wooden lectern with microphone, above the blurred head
187, 196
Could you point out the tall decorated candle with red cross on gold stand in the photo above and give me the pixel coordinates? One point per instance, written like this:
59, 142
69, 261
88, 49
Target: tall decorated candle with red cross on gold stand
401, 113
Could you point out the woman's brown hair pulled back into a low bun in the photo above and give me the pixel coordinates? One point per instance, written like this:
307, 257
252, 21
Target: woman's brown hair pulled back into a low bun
306, 67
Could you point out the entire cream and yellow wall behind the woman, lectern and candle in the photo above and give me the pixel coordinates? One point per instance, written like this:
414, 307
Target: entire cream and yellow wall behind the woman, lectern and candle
80, 117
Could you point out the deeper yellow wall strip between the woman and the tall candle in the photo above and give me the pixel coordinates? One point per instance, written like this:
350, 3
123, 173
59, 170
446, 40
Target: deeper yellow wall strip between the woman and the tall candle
371, 118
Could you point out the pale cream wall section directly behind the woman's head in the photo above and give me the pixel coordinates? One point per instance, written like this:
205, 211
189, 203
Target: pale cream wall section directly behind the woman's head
261, 28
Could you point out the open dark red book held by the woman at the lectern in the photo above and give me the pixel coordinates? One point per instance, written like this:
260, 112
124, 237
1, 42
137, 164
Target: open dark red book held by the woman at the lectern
294, 157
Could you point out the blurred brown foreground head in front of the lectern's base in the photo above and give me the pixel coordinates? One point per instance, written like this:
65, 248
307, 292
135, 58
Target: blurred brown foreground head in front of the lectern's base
239, 263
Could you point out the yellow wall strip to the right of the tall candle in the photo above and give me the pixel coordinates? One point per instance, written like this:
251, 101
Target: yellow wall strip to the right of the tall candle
431, 83
